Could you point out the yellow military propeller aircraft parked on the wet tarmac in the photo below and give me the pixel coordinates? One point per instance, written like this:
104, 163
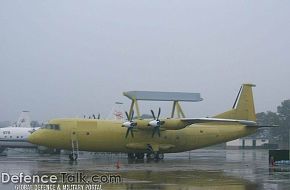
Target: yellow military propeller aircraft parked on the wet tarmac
152, 137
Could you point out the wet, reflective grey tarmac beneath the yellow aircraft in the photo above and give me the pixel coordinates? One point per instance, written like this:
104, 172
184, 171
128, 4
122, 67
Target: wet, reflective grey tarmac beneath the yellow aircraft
199, 169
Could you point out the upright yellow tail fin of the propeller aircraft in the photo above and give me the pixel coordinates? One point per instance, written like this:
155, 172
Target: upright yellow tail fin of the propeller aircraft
243, 108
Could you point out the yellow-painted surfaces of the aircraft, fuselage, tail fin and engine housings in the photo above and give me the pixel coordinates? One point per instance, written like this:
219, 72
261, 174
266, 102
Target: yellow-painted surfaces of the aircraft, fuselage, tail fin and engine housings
109, 136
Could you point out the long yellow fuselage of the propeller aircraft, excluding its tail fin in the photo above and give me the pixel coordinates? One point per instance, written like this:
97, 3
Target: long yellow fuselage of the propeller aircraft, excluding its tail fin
109, 136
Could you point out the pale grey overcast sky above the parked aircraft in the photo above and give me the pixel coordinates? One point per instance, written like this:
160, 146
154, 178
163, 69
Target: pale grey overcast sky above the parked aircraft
69, 58
